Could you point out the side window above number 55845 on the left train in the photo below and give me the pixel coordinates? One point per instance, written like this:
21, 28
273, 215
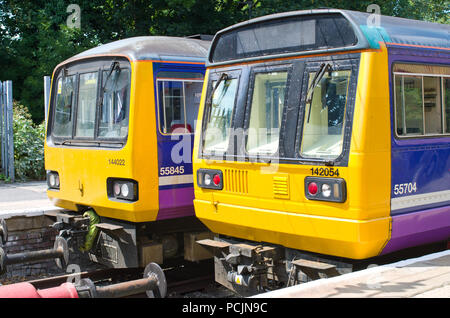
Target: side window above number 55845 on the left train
178, 101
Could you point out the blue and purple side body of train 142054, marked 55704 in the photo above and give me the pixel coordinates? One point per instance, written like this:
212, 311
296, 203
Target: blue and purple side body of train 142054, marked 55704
420, 192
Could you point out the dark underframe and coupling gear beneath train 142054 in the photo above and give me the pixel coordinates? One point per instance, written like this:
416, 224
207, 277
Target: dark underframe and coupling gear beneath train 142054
250, 268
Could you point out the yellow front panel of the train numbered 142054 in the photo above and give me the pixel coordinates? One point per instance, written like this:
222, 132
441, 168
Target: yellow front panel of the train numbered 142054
268, 203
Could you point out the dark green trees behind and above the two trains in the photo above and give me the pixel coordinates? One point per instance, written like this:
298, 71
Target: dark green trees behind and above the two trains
34, 37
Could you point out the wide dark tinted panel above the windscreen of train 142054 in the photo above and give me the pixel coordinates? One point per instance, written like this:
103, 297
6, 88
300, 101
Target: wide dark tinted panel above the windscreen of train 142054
288, 35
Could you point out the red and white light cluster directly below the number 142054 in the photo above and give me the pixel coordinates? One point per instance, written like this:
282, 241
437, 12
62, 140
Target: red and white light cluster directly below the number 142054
325, 189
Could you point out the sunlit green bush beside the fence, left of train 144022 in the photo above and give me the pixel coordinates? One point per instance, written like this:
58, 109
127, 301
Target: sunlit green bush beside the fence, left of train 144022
28, 145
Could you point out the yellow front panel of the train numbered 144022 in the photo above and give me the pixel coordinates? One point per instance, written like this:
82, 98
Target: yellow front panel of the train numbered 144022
83, 171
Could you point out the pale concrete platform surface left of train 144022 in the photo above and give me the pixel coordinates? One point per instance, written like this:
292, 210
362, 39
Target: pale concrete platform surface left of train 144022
29, 198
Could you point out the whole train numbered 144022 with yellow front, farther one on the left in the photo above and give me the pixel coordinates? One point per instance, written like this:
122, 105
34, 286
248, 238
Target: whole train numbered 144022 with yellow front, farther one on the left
119, 142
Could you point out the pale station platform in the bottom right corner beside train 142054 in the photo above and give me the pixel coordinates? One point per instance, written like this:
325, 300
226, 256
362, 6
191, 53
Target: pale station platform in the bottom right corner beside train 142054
424, 277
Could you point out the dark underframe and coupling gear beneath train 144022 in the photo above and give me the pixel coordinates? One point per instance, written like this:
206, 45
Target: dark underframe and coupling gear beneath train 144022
119, 244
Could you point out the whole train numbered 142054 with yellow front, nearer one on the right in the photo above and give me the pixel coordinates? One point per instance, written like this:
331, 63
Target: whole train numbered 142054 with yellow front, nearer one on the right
323, 139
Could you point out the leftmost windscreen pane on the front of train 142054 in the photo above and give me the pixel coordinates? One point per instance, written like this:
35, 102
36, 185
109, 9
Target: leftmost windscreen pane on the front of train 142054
218, 115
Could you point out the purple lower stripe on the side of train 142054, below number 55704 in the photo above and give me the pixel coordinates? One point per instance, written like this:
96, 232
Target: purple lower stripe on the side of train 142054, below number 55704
419, 228
